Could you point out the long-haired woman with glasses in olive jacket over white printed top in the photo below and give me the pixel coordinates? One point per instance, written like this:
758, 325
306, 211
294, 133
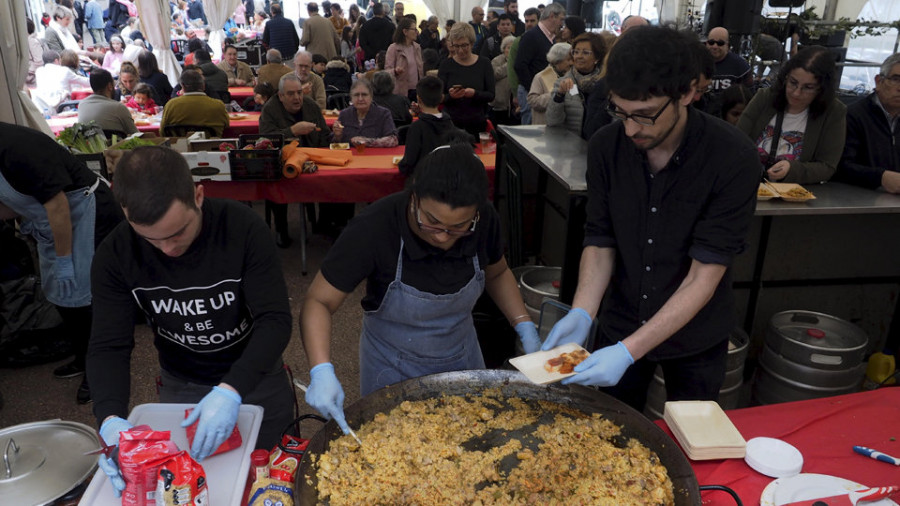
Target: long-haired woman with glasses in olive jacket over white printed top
802, 115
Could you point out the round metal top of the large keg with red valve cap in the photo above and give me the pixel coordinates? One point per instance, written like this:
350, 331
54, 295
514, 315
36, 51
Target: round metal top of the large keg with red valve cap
818, 330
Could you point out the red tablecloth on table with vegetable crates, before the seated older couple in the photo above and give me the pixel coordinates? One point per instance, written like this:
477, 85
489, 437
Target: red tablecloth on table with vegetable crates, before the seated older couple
345, 185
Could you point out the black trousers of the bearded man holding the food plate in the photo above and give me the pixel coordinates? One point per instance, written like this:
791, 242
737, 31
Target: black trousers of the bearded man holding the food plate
697, 377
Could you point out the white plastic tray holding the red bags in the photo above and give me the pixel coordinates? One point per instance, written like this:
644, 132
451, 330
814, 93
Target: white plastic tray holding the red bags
226, 473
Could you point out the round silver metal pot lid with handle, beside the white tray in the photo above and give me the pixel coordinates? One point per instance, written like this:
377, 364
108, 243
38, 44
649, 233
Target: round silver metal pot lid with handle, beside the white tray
43, 461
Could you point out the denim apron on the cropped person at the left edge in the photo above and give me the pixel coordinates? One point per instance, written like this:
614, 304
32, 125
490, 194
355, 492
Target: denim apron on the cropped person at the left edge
82, 209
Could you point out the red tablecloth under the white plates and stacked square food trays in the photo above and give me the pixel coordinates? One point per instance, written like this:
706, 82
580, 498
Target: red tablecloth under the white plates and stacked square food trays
824, 430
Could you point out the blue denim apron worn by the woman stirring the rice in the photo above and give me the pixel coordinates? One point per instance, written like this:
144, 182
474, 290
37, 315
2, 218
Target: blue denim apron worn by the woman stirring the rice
415, 333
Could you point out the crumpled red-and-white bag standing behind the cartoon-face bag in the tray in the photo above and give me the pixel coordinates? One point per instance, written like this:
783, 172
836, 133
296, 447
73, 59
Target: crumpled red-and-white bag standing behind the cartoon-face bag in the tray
141, 452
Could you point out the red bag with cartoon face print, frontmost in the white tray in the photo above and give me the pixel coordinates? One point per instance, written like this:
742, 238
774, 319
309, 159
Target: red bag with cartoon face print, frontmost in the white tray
181, 482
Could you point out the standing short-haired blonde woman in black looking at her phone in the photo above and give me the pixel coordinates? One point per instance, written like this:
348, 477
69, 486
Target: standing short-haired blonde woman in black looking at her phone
468, 81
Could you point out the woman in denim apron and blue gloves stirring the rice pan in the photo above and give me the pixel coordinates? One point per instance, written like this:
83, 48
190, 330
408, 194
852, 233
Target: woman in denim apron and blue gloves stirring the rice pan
426, 255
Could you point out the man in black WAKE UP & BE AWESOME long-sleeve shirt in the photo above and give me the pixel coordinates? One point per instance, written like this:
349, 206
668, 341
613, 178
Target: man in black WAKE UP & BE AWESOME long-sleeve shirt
205, 274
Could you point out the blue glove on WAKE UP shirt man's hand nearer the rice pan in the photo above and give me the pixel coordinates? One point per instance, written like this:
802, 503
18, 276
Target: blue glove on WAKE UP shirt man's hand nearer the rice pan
217, 413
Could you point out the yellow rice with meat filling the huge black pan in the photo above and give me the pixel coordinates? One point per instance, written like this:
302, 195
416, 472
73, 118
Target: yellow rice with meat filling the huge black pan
489, 449
